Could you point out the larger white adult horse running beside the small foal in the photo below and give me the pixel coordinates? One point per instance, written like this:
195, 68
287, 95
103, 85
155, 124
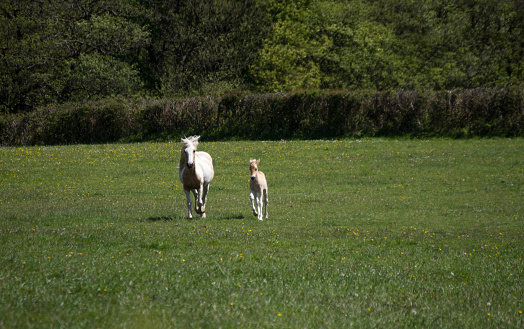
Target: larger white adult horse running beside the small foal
196, 172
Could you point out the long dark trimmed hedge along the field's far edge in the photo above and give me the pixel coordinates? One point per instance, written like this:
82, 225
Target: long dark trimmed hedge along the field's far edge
306, 114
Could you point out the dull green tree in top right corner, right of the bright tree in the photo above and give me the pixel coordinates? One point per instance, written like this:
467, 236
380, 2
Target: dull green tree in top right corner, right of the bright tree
455, 44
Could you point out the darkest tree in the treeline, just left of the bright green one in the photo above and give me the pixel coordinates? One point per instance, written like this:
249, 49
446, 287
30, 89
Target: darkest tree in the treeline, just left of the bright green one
203, 47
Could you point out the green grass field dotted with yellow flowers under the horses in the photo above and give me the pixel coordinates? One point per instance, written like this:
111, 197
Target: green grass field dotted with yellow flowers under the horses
361, 233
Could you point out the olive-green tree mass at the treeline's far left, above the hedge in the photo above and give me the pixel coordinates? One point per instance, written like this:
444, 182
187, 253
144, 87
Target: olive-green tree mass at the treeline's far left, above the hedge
56, 50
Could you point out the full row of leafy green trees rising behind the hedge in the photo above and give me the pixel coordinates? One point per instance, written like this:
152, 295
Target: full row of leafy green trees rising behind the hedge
59, 51
